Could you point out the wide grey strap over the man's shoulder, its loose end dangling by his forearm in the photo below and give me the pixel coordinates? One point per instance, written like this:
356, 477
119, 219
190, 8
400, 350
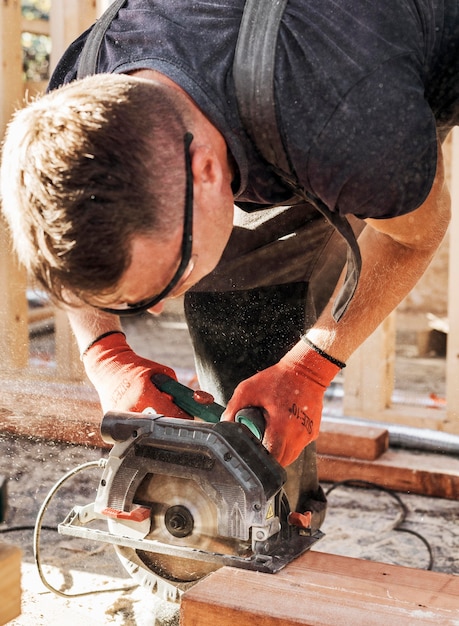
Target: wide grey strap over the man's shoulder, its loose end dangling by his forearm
253, 73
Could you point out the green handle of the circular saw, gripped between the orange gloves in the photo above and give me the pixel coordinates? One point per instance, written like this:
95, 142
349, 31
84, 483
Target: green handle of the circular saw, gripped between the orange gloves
201, 404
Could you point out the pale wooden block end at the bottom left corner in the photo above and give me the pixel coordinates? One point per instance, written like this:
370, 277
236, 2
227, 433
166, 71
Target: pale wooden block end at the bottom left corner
10, 582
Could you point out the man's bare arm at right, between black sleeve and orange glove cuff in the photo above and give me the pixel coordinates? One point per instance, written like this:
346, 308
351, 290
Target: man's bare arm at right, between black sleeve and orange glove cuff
395, 254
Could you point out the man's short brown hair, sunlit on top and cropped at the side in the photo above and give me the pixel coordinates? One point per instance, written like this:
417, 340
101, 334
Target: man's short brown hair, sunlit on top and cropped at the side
86, 169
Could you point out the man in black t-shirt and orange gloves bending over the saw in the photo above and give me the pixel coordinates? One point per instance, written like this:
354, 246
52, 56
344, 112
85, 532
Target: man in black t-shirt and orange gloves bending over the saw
96, 174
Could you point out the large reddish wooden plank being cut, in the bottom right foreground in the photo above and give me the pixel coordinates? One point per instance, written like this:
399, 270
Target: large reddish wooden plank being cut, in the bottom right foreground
326, 590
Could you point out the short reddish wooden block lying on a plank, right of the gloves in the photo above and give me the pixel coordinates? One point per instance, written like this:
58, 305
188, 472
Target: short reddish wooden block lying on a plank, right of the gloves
360, 442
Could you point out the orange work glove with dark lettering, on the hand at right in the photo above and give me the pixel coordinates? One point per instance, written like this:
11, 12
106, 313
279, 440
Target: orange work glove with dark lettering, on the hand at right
291, 396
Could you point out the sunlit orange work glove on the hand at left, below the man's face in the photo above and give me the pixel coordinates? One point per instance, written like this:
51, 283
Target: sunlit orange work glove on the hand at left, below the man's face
123, 379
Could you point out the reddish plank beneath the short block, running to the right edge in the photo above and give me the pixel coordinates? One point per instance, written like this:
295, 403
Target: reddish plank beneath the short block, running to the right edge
422, 473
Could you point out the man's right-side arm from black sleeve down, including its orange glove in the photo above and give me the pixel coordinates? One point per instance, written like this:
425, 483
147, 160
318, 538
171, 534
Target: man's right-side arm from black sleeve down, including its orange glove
395, 254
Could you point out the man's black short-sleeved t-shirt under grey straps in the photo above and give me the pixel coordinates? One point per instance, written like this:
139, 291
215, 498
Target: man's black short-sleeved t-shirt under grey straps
361, 89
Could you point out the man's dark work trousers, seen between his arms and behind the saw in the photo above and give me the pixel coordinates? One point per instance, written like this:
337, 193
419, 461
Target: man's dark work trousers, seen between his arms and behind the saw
277, 273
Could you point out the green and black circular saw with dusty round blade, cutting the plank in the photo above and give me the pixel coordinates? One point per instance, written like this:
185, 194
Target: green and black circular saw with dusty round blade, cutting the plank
181, 498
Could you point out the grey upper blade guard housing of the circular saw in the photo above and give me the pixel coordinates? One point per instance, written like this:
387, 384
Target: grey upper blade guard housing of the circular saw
221, 470
